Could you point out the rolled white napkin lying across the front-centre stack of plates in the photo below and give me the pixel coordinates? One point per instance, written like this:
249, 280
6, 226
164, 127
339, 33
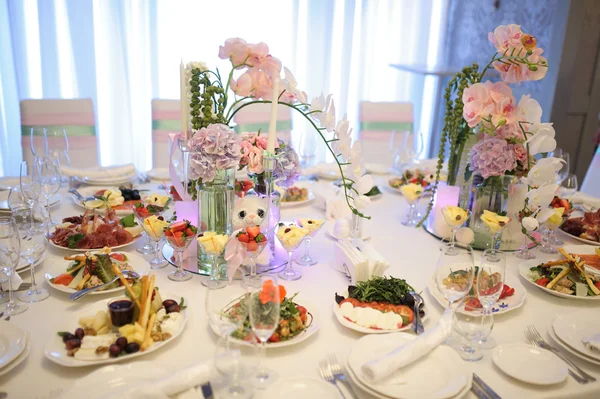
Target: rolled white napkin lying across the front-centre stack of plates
378, 369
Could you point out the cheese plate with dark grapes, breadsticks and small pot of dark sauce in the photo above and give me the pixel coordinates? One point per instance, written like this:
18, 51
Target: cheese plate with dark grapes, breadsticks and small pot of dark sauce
117, 329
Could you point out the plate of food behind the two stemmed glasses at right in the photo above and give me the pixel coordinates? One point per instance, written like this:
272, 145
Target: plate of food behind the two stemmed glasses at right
512, 297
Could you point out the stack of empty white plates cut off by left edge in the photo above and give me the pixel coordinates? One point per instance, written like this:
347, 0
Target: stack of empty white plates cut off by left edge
14, 346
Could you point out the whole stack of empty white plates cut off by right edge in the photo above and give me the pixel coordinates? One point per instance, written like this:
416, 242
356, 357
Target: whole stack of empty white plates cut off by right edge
569, 330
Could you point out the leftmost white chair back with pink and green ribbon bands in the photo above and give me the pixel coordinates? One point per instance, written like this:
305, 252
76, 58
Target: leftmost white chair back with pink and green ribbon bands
74, 116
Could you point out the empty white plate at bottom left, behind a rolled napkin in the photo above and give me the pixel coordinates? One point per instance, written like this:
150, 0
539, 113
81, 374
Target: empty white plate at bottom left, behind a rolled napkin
107, 379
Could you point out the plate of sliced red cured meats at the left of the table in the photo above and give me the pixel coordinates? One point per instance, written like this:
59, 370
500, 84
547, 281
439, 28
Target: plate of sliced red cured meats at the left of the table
93, 231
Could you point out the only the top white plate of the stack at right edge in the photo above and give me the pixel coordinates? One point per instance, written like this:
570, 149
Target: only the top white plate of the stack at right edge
571, 328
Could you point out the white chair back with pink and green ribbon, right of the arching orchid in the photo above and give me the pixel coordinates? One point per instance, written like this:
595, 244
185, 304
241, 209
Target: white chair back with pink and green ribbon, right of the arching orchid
377, 122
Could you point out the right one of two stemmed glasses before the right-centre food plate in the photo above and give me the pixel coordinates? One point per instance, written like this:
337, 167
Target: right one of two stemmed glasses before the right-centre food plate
490, 283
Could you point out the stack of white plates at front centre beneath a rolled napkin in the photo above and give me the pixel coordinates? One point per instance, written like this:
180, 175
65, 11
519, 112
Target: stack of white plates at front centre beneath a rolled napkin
439, 375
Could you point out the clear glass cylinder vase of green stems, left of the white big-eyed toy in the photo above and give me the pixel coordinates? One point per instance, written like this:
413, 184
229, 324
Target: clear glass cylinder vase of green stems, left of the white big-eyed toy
215, 212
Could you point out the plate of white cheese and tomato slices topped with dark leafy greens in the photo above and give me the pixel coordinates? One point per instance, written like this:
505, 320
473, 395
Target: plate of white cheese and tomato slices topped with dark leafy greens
379, 305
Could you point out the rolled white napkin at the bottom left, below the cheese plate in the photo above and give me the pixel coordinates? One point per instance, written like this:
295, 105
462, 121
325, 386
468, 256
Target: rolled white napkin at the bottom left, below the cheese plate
179, 384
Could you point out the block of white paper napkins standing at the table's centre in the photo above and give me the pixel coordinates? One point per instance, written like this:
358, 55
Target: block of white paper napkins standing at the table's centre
360, 259
